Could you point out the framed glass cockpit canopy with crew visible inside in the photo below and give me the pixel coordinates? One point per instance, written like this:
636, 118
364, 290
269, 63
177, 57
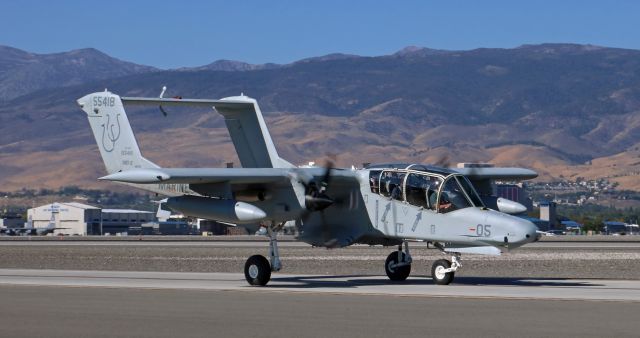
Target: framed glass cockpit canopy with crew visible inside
433, 188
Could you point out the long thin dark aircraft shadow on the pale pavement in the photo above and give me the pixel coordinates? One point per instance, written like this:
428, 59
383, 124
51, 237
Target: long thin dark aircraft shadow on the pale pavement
353, 281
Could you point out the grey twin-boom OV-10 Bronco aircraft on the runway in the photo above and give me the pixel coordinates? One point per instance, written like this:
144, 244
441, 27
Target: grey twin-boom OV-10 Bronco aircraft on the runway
389, 204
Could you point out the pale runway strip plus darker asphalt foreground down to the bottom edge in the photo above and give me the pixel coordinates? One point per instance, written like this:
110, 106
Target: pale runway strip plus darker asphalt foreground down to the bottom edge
65, 303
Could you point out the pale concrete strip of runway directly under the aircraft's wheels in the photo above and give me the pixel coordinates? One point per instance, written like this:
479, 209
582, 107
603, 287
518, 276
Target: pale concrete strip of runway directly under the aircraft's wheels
469, 287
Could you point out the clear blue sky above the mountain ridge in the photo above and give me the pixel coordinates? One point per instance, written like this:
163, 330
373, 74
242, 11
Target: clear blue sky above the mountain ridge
192, 33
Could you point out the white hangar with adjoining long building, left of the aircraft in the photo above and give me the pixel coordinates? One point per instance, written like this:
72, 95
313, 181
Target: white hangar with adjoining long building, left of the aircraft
83, 219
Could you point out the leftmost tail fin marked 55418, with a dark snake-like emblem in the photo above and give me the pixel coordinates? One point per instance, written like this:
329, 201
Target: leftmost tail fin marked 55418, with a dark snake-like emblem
113, 132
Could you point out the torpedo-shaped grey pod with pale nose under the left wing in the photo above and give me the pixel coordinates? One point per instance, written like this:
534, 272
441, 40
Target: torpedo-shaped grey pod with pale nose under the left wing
225, 210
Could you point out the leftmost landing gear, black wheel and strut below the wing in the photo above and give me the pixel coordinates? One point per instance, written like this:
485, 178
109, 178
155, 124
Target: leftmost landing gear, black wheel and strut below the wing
257, 269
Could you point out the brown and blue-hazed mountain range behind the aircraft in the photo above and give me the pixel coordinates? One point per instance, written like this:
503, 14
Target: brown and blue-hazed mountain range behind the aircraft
565, 110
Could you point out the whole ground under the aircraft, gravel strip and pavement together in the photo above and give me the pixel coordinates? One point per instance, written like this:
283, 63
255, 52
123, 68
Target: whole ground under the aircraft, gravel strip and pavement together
194, 289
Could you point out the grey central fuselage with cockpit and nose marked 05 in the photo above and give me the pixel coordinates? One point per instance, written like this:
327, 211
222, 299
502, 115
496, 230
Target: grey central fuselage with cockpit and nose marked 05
416, 202
